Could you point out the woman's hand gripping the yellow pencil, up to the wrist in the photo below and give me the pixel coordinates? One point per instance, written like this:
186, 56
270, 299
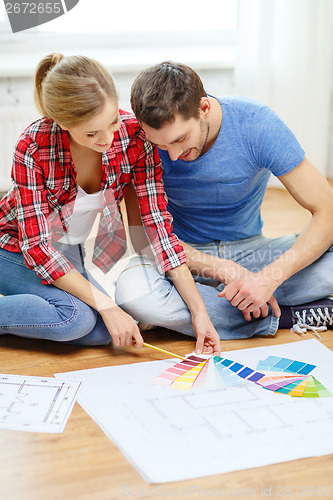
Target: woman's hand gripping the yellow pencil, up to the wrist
122, 327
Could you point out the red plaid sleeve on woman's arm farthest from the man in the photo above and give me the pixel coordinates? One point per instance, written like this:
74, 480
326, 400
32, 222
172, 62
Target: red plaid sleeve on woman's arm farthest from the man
32, 212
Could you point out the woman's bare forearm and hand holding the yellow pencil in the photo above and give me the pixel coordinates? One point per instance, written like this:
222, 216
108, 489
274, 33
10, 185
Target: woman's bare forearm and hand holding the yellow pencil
120, 325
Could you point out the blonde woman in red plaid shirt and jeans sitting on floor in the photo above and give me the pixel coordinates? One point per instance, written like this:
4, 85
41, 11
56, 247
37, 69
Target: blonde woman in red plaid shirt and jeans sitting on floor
76, 161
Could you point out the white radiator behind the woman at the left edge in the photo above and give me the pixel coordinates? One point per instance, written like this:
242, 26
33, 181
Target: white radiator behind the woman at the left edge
12, 123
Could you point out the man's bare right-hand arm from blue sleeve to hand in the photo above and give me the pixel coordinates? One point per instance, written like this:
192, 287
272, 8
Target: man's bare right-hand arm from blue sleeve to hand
312, 191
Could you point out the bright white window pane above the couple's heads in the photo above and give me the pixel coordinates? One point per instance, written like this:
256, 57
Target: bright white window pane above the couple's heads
147, 16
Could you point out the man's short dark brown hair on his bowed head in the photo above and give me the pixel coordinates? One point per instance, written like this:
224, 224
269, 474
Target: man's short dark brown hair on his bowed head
164, 90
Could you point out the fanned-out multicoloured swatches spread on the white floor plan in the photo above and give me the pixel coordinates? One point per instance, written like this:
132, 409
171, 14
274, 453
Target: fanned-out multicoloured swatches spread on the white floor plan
276, 374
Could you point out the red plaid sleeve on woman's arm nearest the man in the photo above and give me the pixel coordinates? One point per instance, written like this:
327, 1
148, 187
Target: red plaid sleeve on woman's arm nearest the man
153, 202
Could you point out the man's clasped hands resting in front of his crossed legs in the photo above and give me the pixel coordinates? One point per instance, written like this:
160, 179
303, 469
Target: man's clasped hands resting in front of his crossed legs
252, 294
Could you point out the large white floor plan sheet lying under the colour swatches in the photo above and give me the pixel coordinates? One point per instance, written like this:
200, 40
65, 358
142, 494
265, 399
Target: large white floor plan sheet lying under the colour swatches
174, 435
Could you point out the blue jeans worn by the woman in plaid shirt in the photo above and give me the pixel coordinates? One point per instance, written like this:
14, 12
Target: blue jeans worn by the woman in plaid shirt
31, 309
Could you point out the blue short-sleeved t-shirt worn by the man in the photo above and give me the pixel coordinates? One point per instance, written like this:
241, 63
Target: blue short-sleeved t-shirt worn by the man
219, 195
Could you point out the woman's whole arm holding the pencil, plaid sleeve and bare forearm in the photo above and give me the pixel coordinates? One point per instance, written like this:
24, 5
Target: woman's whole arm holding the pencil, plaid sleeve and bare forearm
32, 208
